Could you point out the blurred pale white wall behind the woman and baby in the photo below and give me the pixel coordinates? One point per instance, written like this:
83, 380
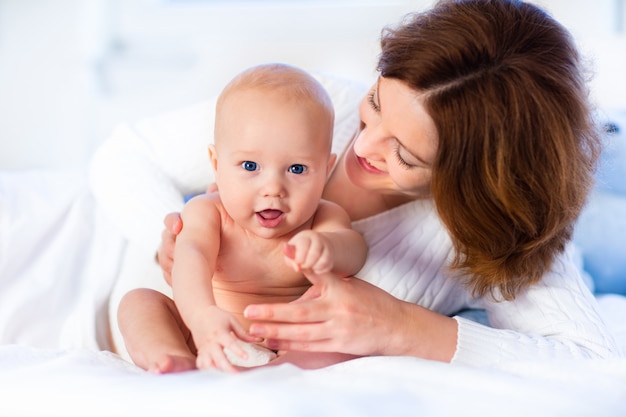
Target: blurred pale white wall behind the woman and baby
72, 69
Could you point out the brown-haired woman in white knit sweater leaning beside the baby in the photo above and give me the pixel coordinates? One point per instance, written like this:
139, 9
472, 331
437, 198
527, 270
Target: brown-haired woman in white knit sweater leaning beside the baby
474, 158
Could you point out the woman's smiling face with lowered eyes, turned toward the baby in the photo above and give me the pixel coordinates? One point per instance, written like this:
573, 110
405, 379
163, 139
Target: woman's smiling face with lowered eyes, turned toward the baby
395, 149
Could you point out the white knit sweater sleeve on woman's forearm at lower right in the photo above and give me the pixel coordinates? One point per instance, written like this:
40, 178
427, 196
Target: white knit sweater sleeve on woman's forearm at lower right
555, 318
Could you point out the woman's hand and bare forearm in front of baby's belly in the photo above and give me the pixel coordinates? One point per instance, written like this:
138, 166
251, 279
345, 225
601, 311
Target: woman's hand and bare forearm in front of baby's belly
351, 316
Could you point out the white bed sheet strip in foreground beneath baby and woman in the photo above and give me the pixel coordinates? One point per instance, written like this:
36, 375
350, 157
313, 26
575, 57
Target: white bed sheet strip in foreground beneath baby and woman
37, 382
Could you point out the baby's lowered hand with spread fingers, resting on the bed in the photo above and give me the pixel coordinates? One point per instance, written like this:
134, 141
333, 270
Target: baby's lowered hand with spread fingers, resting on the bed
220, 331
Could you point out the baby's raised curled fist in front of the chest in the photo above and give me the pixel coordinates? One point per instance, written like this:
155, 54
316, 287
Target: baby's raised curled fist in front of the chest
309, 250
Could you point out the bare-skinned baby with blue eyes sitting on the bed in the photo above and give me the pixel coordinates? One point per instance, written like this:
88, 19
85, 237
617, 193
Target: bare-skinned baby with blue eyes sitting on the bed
249, 241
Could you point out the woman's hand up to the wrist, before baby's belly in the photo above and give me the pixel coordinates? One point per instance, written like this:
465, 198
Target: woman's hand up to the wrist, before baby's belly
336, 314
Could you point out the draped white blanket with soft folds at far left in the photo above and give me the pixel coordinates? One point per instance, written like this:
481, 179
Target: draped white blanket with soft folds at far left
59, 259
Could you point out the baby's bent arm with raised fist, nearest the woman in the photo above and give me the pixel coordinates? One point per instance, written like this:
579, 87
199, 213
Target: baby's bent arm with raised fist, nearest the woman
330, 245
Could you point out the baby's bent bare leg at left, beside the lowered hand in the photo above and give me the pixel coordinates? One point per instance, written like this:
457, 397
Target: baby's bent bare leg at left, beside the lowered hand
154, 333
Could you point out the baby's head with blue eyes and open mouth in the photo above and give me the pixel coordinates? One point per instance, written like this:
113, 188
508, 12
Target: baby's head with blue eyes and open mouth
272, 151
